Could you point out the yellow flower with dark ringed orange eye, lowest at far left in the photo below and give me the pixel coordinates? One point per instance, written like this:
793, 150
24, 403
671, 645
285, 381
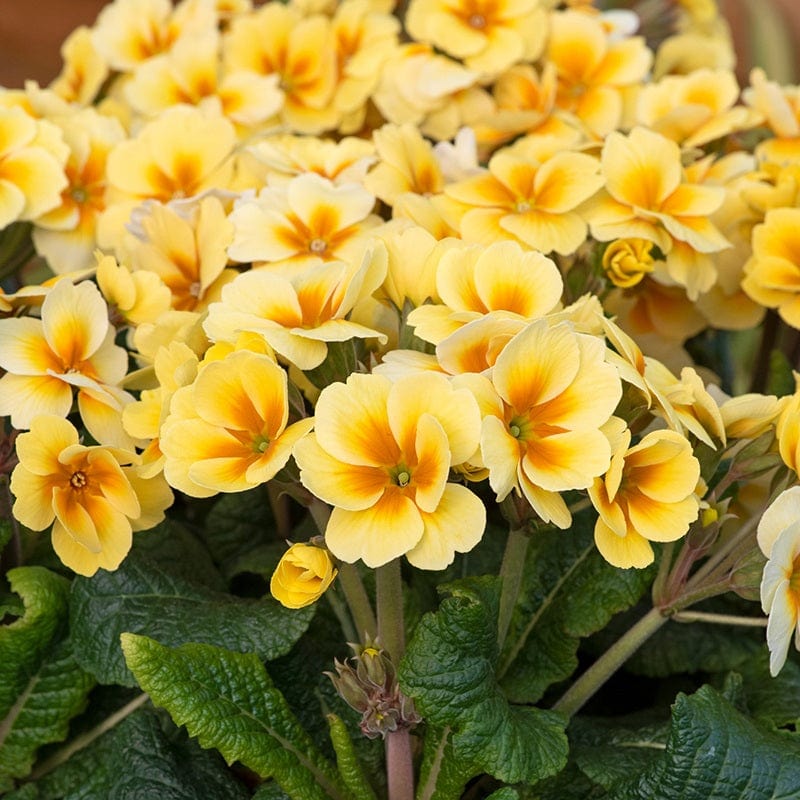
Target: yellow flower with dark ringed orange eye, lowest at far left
84, 491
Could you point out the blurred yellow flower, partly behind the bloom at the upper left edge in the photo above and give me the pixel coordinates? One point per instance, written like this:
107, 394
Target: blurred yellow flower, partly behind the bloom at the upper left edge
66, 236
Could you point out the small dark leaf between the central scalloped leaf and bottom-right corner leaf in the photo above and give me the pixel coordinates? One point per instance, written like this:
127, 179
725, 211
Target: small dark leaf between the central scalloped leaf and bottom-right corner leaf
609, 751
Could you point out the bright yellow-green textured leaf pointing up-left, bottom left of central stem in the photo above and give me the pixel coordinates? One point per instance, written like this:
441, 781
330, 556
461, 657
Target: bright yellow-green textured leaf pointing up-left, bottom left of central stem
228, 702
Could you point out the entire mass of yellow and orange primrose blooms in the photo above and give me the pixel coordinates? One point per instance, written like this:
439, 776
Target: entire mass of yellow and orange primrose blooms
425, 268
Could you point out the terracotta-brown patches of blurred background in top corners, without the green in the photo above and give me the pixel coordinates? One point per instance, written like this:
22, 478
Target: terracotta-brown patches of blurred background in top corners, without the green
31, 32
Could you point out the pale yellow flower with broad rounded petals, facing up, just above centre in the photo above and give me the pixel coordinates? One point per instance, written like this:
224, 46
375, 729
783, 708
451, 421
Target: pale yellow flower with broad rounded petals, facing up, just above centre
473, 280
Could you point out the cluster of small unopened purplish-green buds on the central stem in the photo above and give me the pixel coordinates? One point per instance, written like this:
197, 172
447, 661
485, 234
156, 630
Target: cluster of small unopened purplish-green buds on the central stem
368, 683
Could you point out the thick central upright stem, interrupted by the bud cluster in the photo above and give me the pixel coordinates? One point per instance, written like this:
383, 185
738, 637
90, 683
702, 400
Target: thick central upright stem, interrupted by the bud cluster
389, 600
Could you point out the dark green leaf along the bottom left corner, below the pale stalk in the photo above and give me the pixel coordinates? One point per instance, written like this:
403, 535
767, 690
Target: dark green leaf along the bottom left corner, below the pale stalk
138, 760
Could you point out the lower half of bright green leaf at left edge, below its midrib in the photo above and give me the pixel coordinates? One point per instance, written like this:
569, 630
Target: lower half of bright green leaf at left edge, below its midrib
55, 694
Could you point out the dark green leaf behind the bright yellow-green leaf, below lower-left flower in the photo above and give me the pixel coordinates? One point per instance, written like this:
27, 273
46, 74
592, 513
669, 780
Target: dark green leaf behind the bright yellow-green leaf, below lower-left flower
142, 597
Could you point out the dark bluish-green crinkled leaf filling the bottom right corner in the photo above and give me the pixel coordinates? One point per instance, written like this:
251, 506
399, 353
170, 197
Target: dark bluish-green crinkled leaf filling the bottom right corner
716, 753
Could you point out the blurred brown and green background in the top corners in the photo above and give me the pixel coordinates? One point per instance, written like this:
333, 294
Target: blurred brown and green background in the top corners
766, 33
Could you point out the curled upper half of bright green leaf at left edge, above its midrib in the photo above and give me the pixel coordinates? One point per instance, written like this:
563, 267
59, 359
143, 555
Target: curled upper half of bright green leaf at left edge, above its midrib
25, 642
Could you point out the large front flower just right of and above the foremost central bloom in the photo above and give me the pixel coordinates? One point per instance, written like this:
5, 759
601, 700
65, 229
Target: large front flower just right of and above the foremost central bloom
555, 391
